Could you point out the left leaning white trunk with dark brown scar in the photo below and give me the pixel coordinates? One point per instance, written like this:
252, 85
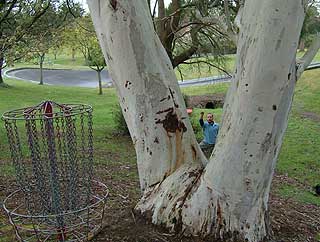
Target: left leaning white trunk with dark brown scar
148, 90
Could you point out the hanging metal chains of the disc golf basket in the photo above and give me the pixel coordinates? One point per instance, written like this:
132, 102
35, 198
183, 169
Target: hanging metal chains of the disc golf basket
53, 159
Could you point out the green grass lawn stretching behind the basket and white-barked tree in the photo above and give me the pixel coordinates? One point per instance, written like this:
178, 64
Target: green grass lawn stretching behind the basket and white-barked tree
299, 158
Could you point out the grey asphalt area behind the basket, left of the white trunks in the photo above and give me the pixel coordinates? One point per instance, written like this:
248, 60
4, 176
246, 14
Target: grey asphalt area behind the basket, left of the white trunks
80, 78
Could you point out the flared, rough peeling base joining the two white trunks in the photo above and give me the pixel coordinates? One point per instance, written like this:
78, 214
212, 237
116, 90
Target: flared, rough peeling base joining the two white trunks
183, 202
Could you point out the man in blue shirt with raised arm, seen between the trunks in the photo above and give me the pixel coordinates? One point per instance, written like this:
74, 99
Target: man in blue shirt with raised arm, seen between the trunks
210, 132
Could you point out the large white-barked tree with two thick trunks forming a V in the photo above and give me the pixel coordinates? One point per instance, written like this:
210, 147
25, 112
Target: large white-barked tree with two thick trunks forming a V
225, 197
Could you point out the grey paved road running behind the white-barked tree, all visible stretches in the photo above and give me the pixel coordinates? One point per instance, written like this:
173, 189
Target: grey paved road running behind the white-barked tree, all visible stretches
88, 78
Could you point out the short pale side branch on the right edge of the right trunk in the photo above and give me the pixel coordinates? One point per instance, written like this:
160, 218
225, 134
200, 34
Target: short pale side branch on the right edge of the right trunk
305, 61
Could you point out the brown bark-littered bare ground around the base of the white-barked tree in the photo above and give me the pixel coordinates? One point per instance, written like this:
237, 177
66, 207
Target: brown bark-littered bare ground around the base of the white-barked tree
290, 221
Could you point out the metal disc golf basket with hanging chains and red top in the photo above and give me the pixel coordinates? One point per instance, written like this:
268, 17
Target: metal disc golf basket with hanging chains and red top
52, 151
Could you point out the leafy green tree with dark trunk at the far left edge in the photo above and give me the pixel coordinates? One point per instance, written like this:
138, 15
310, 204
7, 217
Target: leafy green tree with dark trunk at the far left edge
17, 17
